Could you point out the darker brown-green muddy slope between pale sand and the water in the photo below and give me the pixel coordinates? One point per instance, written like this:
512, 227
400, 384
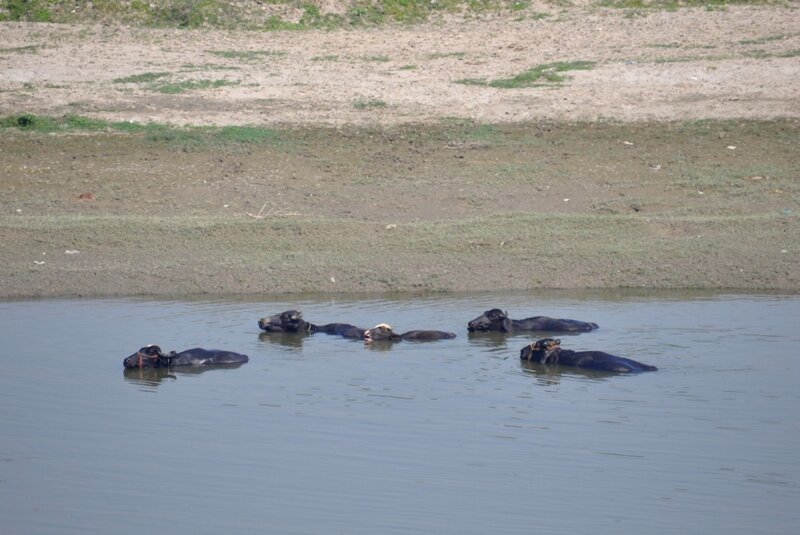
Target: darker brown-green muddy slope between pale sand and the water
427, 208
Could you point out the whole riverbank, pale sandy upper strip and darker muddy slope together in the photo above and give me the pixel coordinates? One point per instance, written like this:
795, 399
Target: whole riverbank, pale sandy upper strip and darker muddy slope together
587, 149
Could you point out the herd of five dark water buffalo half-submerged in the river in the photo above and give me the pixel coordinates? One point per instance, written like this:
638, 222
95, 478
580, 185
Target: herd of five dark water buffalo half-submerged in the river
544, 351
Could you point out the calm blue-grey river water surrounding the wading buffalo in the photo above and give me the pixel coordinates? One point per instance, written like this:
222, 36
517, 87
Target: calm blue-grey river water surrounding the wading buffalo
323, 435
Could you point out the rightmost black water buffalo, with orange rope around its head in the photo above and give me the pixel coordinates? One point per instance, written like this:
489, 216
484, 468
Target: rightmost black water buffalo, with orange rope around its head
548, 351
